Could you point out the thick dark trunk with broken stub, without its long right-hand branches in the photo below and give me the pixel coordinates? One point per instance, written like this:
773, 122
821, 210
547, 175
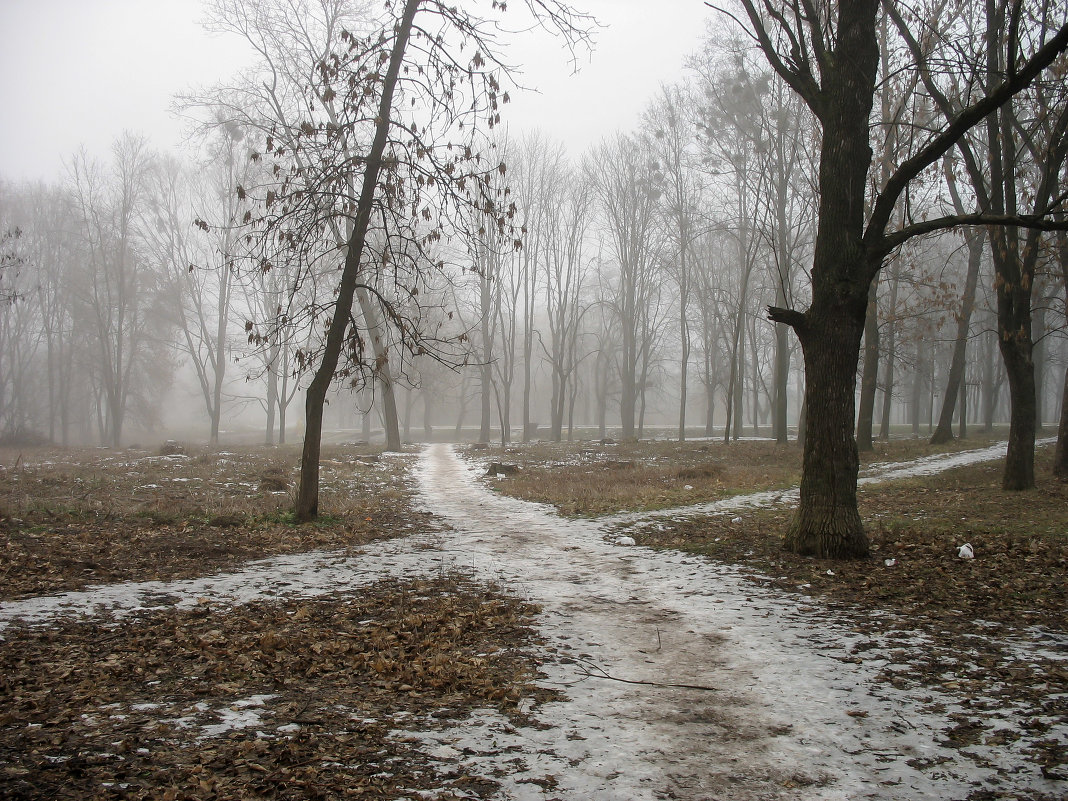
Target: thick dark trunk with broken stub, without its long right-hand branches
828, 523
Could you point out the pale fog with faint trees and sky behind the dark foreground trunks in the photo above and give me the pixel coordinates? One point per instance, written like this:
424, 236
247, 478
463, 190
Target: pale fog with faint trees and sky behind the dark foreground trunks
176, 209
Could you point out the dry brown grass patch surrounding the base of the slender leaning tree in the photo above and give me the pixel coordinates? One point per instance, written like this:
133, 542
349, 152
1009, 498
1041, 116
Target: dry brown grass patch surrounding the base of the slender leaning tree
72, 519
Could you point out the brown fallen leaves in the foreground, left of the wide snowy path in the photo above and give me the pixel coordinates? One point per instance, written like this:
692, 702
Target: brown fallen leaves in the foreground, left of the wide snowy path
270, 701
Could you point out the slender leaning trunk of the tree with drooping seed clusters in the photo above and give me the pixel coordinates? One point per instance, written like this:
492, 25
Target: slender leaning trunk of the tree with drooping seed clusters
308, 493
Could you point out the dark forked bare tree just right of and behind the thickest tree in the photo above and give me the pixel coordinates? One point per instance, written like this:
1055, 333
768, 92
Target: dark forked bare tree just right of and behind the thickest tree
1014, 136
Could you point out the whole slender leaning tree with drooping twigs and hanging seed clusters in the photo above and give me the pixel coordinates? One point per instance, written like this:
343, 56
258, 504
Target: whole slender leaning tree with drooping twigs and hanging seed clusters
360, 159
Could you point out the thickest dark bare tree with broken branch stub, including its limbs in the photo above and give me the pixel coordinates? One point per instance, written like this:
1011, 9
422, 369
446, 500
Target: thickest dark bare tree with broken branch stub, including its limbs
830, 56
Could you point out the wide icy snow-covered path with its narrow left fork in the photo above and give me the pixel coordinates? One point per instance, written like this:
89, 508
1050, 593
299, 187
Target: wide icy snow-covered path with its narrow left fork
786, 718
